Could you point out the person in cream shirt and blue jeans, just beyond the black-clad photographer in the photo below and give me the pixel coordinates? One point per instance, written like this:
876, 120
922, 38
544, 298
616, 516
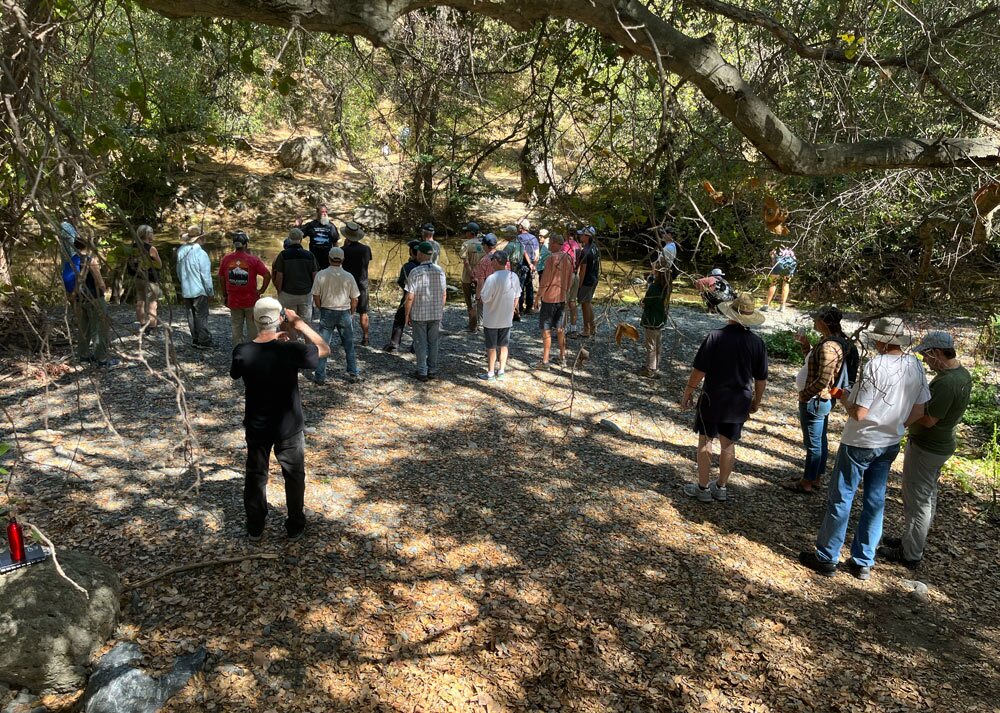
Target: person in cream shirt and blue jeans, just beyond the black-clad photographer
336, 296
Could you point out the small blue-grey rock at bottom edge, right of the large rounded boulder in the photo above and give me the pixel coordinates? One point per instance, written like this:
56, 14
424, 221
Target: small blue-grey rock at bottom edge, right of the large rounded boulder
117, 686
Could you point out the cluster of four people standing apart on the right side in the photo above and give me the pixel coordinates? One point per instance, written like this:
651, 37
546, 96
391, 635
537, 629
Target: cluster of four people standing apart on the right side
886, 397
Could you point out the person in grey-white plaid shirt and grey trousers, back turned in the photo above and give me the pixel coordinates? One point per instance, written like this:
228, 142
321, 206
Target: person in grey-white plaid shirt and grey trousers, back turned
425, 298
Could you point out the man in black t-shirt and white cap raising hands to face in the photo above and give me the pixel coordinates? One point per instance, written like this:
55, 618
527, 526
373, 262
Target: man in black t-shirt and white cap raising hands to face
269, 367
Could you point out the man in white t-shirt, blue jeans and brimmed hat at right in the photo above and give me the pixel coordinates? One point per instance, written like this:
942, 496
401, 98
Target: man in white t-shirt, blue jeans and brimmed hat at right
890, 393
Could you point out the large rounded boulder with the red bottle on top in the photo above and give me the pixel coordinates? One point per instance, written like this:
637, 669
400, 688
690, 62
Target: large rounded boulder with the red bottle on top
49, 629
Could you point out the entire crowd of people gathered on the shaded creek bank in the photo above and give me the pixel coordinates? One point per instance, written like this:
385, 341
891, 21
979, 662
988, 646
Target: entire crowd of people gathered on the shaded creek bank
551, 274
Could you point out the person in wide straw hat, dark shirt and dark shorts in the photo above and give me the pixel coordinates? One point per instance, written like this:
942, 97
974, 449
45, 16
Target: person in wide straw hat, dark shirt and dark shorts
732, 361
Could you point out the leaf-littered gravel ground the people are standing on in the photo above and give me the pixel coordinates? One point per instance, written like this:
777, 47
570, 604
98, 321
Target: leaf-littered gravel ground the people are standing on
489, 547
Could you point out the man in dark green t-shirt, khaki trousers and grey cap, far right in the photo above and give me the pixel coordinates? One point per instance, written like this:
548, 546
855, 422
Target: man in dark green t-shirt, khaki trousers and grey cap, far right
930, 445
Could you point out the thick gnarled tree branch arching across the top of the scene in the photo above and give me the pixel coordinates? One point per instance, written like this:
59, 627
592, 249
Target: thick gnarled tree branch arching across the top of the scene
633, 26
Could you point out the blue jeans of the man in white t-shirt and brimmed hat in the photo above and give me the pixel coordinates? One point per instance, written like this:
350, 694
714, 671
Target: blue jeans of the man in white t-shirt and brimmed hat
854, 467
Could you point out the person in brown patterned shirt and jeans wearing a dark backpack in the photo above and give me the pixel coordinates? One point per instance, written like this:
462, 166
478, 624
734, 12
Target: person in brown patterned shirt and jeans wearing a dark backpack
827, 364
